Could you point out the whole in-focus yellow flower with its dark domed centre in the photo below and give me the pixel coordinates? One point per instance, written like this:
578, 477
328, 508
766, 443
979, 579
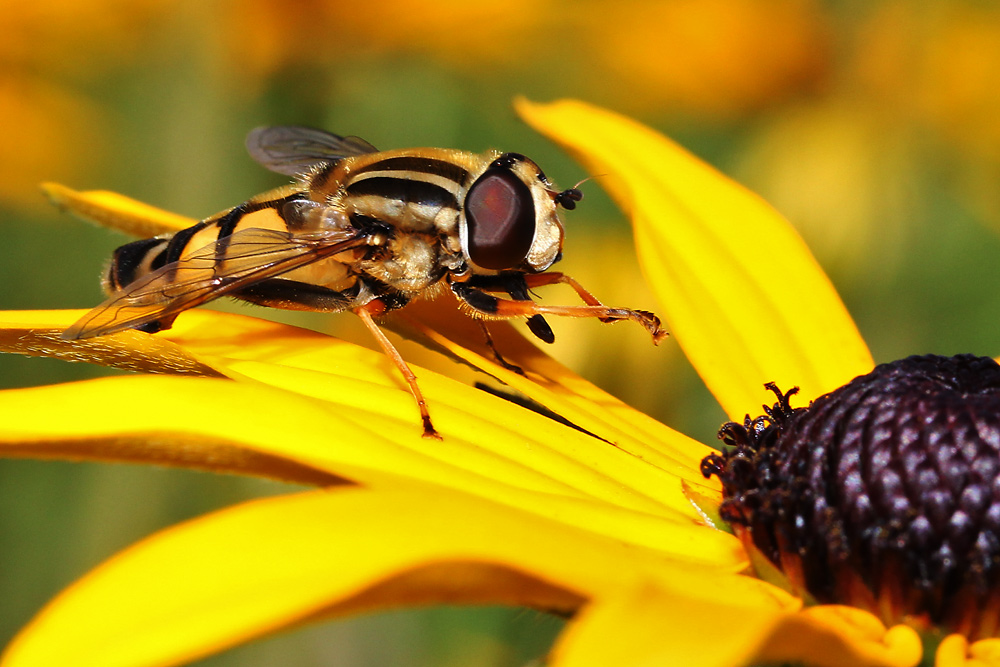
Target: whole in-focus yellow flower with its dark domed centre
612, 524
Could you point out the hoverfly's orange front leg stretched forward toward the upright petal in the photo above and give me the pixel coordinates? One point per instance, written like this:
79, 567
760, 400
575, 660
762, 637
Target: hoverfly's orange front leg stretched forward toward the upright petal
493, 306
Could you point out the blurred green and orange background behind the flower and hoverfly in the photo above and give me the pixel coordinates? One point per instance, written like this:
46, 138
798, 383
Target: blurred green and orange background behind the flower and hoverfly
873, 125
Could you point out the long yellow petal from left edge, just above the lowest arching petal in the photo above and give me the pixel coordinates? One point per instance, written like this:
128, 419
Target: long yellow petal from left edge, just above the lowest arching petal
360, 431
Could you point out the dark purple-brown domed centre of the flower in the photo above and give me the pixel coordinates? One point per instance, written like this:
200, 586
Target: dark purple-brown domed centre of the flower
883, 494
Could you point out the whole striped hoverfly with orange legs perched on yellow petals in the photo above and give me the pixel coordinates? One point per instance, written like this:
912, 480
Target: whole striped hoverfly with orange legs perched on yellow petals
362, 230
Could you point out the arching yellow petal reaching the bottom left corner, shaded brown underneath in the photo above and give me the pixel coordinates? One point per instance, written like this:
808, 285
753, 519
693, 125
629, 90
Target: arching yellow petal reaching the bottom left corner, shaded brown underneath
253, 569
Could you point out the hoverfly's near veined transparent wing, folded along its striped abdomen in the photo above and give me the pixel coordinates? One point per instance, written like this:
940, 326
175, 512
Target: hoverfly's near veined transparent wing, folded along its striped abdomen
236, 261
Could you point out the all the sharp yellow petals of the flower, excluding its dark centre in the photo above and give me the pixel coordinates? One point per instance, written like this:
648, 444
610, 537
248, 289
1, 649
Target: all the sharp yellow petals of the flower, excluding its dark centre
608, 523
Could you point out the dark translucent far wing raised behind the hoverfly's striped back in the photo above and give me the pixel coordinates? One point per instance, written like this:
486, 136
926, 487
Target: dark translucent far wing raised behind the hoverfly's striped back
294, 150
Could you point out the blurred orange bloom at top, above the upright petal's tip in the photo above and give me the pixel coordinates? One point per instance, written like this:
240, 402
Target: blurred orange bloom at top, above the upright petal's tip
721, 57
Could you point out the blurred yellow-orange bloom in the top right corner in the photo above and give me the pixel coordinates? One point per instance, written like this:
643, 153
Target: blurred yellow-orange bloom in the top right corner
930, 71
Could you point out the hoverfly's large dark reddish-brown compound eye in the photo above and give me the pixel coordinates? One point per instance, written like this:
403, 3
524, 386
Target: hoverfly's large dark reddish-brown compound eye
501, 217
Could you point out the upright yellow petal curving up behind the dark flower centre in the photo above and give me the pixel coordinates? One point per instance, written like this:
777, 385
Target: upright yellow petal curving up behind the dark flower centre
741, 292
